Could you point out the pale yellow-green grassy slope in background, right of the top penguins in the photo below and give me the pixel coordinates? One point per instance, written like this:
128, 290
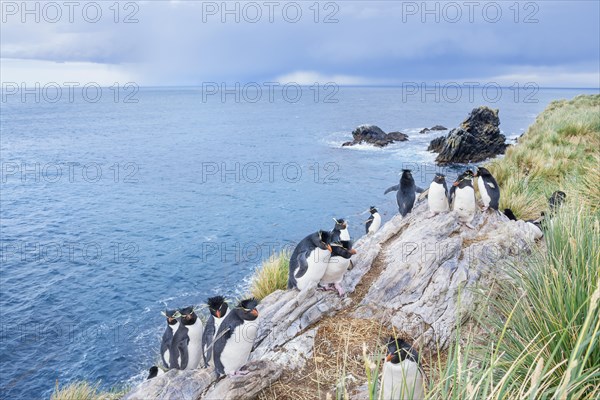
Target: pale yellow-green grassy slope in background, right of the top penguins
558, 152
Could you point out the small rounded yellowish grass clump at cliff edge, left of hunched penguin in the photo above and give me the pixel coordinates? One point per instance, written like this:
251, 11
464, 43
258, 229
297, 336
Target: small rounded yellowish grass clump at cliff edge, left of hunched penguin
271, 276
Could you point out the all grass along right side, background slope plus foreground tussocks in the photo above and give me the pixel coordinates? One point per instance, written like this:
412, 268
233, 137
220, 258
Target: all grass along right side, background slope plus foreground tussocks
539, 335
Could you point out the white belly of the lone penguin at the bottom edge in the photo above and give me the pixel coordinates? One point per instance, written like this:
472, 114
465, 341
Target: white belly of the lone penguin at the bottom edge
402, 381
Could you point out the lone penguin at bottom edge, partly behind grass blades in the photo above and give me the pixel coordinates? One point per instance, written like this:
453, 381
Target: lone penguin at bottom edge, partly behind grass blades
402, 373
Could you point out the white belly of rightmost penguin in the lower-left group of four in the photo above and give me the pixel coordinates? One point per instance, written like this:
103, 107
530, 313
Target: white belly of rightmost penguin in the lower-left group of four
238, 346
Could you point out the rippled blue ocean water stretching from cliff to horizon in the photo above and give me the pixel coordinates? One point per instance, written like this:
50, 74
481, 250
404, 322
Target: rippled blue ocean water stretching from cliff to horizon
112, 211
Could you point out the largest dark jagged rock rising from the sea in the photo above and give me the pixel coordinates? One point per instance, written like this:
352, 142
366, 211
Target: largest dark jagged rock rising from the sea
476, 139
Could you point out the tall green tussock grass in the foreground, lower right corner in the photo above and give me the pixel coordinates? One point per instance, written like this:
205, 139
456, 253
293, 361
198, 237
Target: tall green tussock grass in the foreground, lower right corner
543, 332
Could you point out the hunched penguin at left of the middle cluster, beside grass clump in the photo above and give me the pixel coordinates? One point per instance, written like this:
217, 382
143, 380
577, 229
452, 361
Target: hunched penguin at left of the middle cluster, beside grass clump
309, 260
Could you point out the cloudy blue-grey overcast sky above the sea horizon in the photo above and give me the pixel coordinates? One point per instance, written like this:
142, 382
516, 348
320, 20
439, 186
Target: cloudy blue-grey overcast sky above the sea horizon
551, 43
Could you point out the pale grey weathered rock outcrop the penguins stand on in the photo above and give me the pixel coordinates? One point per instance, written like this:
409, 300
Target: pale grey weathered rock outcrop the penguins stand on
423, 273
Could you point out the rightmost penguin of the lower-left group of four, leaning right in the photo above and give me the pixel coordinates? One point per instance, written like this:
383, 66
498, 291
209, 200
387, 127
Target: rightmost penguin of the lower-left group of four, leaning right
235, 338
